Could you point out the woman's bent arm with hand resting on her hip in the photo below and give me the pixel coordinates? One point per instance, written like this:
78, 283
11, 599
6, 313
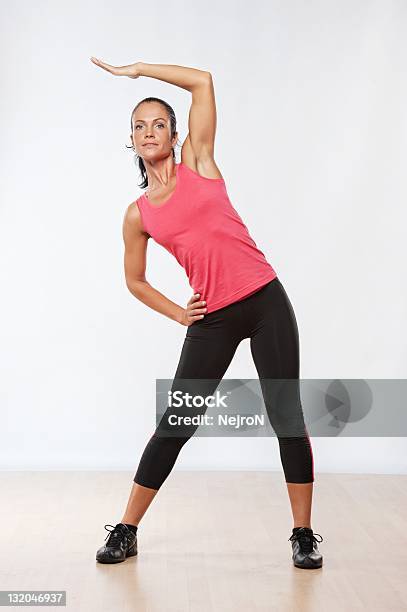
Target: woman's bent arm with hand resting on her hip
135, 256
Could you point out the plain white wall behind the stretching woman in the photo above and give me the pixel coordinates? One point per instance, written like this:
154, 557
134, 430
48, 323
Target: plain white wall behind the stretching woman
320, 88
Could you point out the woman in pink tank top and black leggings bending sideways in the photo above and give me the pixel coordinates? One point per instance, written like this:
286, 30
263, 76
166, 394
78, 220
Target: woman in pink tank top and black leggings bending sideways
237, 295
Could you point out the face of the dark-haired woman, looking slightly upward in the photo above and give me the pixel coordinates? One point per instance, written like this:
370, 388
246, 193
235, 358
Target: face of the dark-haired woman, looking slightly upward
151, 135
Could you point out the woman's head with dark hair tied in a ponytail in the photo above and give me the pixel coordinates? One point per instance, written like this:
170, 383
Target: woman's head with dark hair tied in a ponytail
153, 121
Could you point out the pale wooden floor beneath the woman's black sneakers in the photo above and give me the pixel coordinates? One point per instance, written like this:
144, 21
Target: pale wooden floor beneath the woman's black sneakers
210, 541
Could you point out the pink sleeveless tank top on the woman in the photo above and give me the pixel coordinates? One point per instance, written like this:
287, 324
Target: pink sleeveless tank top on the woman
200, 227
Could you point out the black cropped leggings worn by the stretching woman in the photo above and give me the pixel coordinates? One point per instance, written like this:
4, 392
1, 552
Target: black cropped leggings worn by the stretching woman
267, 318
